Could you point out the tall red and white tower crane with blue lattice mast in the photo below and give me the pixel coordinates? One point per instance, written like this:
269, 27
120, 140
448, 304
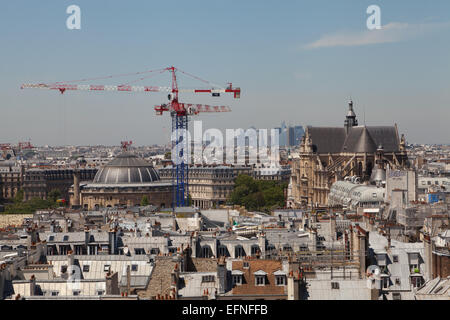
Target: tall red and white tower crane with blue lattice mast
179, 112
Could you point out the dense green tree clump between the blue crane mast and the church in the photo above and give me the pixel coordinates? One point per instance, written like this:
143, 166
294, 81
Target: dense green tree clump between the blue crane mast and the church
258, 195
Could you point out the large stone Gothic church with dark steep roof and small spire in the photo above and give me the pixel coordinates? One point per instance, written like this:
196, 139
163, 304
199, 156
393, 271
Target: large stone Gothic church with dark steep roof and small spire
329, 154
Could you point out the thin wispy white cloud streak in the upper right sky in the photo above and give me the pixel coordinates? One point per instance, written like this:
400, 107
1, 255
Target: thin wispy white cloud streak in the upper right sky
389, 33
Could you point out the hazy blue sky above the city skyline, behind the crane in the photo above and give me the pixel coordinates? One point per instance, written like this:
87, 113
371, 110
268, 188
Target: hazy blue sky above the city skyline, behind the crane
295, 61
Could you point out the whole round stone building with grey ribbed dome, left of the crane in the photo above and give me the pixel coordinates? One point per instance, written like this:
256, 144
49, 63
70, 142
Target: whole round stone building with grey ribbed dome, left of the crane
122, 182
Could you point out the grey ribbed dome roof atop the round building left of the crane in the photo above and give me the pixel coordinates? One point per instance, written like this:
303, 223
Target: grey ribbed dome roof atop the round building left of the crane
126, 168
